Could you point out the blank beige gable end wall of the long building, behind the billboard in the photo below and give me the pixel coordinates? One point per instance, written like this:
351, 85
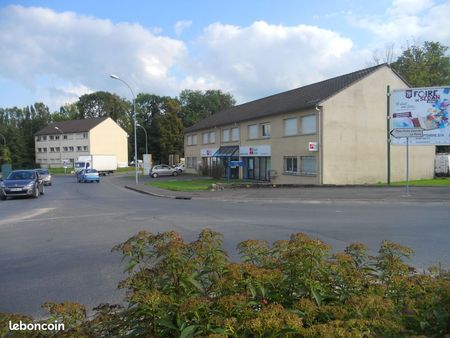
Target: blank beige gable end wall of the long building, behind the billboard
354, 136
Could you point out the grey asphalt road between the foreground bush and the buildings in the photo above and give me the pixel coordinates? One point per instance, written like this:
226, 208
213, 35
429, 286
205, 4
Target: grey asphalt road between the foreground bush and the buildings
58, 247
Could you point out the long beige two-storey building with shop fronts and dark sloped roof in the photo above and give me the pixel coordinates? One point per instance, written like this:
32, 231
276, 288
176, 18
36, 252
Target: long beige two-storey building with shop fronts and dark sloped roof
330, 132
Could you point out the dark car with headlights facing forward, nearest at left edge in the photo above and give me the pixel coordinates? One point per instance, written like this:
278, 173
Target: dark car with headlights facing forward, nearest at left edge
22, 183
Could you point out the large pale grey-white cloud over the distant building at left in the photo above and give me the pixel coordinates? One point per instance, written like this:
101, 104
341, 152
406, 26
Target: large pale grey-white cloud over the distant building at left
82, 51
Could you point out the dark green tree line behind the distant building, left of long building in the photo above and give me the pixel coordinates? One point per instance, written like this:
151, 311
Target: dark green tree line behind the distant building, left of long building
164, 118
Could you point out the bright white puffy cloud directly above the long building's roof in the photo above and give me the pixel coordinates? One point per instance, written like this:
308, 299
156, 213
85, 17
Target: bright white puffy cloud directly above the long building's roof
263, 59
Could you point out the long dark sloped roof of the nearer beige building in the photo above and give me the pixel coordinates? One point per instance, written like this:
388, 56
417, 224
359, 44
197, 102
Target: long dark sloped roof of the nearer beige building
293, 100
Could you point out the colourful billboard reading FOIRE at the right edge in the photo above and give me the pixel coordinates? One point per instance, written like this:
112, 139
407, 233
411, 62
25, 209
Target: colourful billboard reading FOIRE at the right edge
426, 108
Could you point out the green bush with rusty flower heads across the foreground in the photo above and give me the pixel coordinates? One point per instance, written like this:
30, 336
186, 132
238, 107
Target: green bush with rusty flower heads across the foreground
293, 288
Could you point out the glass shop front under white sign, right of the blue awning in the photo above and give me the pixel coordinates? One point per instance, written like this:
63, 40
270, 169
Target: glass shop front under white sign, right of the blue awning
257, 162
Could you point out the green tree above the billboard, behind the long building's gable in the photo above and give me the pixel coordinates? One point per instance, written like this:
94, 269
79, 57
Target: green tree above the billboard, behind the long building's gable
424, 66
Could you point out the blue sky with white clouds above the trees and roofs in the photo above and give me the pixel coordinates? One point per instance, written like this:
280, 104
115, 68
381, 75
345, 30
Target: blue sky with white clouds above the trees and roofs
55, 51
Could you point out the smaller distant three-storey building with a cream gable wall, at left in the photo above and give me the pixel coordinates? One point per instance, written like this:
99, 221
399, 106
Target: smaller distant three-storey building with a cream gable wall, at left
62, 142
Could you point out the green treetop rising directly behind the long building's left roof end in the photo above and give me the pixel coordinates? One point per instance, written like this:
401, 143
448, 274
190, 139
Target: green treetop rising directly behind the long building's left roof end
196, 105
